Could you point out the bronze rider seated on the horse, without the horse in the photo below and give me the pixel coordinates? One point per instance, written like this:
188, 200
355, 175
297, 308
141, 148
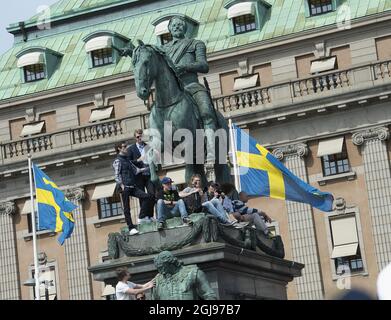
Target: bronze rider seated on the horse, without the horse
189, 58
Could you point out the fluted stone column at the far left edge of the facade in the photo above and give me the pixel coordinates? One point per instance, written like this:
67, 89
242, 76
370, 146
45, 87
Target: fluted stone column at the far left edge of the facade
9, 282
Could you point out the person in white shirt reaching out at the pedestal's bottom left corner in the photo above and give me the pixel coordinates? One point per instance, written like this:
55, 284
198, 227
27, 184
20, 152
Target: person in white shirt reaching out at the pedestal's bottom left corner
125, 289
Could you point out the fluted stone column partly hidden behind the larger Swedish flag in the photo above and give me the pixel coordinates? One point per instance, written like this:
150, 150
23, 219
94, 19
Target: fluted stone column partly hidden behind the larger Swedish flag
302, 228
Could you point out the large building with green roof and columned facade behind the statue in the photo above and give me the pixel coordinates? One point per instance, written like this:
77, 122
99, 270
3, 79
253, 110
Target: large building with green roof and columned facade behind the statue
310, 80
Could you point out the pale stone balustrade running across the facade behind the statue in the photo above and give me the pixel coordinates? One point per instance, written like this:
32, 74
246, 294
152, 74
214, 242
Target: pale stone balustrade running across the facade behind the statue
327, 84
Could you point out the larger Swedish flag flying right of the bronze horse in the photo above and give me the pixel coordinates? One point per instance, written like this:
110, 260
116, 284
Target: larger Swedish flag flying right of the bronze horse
261, 174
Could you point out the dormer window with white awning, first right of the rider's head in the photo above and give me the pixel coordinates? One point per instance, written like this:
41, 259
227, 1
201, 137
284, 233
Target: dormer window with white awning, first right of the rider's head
246, 16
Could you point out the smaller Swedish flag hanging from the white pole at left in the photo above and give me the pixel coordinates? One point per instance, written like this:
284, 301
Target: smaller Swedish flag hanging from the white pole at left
55, 210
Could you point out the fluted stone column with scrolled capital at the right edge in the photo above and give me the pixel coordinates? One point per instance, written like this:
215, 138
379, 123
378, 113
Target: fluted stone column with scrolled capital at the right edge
378, 183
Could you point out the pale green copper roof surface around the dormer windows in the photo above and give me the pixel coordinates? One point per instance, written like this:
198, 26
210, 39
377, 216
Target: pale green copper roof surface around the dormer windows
286, 17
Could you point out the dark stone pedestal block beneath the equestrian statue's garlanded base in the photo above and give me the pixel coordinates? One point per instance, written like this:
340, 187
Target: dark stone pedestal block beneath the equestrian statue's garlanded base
234, 273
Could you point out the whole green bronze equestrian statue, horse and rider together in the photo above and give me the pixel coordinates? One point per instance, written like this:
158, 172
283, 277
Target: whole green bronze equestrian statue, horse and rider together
181, 101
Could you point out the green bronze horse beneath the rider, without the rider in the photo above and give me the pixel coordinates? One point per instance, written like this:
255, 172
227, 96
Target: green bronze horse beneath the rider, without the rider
173, 104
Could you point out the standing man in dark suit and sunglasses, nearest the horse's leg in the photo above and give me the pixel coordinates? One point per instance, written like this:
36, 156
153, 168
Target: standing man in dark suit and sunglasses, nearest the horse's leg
136, 153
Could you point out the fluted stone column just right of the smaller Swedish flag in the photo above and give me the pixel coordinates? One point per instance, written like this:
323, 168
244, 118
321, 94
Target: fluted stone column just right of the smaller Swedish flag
76, 252
